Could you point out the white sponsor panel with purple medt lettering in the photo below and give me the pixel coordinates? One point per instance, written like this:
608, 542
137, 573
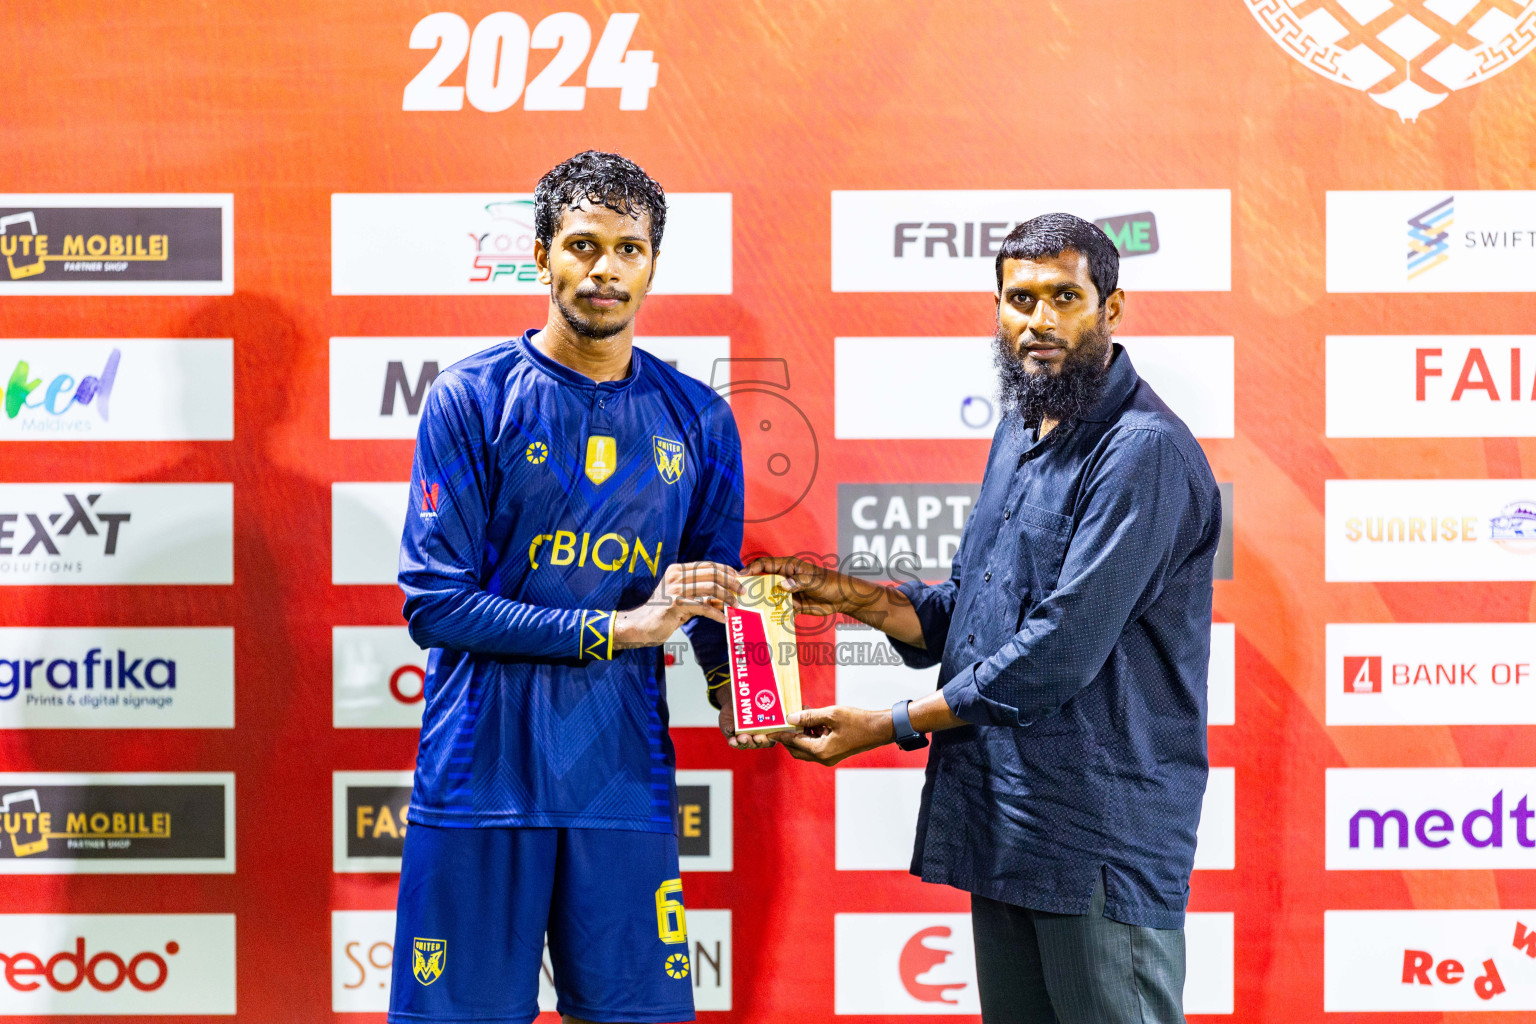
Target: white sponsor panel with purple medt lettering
1405, 819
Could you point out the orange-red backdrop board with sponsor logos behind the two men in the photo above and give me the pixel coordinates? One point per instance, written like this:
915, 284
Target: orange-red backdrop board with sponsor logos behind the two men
1325, 219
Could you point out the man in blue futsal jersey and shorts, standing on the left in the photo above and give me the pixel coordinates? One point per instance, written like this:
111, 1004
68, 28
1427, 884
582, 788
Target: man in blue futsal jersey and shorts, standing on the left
574, 503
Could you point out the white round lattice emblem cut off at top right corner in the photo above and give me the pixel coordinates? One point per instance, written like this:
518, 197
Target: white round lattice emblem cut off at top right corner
1405, 55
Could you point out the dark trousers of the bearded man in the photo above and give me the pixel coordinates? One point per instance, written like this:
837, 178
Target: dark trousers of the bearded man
1036, 968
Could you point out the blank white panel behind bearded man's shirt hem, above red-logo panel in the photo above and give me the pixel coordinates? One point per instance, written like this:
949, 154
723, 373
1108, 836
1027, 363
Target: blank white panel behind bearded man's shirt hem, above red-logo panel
876, 819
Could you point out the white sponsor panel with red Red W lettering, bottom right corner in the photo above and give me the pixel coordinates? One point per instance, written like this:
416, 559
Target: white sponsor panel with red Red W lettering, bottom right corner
1429, 960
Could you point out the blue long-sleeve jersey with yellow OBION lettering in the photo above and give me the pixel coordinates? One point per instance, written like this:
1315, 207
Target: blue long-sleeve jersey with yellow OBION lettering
541, 504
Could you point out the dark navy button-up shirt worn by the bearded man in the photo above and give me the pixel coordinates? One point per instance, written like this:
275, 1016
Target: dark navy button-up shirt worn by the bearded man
1076, 638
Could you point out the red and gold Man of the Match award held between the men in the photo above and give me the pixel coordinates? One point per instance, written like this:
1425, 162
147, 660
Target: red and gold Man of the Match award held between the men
766, 666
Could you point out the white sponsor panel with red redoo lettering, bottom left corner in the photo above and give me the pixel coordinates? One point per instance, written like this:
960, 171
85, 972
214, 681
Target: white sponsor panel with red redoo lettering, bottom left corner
118, 965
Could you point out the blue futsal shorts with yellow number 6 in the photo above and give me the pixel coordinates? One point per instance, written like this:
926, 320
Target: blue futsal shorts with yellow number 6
475, 907
